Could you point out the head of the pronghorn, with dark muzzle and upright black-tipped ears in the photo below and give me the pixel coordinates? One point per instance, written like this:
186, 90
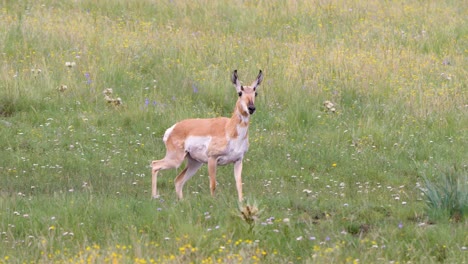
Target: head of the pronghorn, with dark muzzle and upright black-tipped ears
246, 102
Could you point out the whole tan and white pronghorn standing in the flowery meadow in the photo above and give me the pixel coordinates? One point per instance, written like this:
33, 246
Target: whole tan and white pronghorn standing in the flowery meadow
216, 141
